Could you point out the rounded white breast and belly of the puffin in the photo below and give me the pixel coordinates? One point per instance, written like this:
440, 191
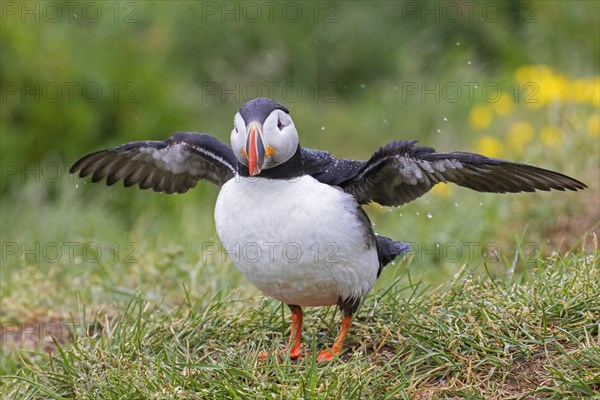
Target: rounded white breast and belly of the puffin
298, 241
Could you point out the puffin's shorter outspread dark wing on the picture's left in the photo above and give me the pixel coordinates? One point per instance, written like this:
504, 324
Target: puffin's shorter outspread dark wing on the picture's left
173, 166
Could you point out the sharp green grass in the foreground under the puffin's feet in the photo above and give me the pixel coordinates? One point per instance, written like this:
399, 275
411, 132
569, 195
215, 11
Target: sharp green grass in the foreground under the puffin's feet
528, 335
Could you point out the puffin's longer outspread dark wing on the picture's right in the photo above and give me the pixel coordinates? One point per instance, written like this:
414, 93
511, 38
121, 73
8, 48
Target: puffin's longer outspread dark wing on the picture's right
401, 172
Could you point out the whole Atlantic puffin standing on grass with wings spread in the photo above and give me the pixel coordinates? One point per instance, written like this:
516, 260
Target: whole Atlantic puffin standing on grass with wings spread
291, 218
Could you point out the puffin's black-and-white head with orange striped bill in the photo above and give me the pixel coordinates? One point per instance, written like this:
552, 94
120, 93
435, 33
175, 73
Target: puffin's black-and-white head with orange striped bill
263, 135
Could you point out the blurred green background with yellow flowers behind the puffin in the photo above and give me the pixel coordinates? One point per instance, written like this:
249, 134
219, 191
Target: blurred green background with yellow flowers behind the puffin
516, 80
